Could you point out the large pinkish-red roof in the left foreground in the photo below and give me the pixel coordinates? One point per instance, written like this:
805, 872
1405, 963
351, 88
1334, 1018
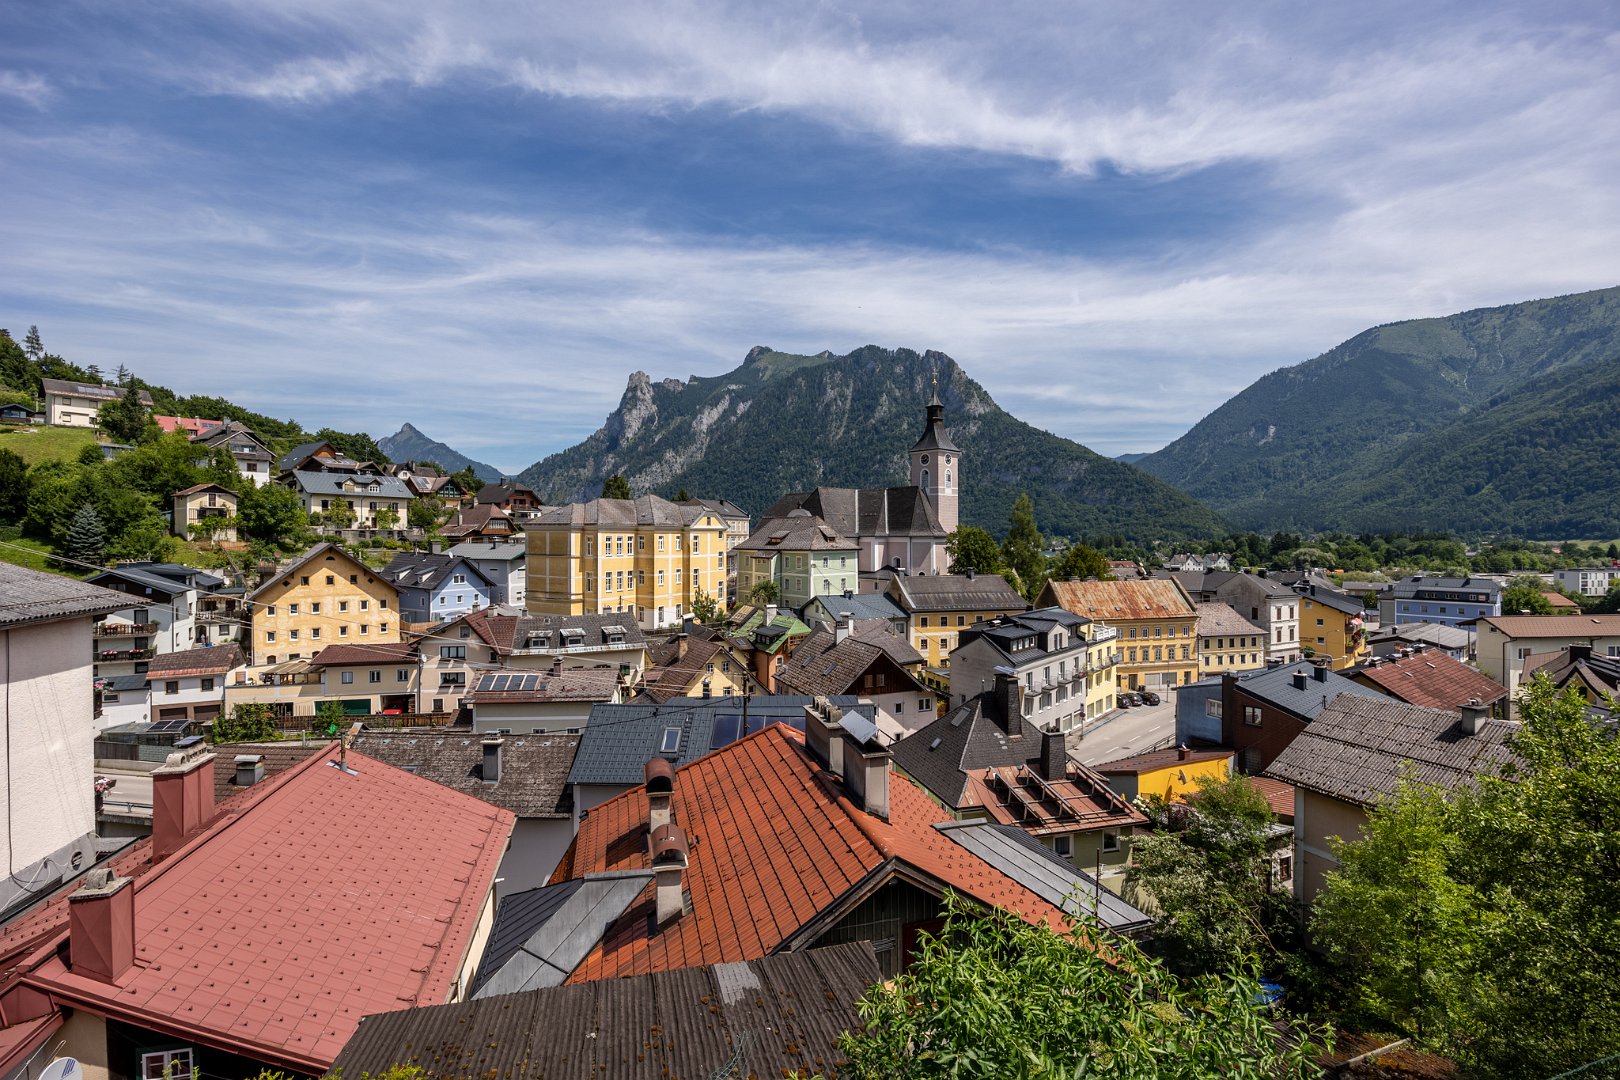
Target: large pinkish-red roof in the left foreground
275, 930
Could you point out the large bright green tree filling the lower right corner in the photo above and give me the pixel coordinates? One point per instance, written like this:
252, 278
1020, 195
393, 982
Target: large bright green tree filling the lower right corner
1444, 929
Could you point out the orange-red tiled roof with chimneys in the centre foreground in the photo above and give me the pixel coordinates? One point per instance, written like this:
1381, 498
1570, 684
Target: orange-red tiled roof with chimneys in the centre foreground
775, 844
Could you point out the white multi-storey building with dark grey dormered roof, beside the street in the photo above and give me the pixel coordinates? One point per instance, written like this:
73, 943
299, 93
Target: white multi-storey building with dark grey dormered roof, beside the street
1064, 663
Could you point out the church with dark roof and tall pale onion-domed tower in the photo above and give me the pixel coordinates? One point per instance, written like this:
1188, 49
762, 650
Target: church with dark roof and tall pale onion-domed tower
897, 527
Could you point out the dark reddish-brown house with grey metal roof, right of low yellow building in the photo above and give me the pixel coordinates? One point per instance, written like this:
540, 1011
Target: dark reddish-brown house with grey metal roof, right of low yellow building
1263, 712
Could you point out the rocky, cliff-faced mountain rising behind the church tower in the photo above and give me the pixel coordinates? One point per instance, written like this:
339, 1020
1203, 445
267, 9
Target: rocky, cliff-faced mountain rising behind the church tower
787, 423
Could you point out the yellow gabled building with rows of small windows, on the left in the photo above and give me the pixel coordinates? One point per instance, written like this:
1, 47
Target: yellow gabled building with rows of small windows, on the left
323, 598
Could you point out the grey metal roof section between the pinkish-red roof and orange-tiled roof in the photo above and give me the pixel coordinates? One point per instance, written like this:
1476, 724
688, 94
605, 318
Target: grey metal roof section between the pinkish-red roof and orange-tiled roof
542, 935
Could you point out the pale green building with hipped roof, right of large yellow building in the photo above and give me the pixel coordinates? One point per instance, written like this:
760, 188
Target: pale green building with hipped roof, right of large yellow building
801, 556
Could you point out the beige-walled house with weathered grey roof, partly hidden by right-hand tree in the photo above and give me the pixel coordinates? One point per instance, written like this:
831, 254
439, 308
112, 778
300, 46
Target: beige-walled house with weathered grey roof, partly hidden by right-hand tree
1358, 750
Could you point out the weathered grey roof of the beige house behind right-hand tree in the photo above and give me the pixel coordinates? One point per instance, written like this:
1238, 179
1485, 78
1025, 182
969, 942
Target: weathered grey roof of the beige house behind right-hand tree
1358, 749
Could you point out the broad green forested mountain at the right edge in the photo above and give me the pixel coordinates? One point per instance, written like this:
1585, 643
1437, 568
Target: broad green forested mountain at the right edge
1433, 423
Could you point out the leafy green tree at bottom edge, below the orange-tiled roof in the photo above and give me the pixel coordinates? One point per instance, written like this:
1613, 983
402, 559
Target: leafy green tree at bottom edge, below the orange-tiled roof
994, 997
